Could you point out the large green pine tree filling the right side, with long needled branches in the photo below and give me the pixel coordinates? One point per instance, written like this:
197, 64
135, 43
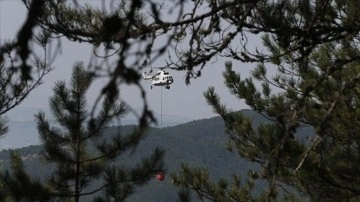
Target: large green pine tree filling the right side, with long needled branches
310, 149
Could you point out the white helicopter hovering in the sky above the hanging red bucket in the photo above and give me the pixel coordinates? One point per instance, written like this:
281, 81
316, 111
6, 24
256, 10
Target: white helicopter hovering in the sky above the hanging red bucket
161, 78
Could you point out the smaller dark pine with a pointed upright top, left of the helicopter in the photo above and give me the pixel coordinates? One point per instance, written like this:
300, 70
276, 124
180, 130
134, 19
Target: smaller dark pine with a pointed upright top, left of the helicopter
82, 151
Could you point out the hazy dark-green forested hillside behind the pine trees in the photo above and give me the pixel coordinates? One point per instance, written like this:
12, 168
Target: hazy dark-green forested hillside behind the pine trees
198, 143
